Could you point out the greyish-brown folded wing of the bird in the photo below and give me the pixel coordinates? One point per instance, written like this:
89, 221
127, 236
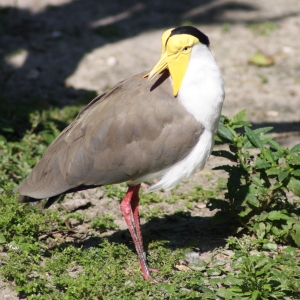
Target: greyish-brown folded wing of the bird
134, 129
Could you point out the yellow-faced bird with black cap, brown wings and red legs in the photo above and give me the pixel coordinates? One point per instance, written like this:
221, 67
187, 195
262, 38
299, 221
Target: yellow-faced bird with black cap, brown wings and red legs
159, 125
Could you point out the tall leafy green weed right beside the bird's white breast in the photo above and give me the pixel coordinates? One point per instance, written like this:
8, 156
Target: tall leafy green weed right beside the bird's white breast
258, 182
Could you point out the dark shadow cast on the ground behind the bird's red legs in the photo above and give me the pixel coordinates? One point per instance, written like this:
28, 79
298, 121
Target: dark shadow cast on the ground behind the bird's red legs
178, 230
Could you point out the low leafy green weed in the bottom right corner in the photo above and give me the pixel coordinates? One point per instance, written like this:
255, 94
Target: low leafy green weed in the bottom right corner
258, 275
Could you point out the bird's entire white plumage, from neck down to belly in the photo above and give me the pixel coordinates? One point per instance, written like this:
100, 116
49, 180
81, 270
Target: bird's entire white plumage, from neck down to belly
202, 95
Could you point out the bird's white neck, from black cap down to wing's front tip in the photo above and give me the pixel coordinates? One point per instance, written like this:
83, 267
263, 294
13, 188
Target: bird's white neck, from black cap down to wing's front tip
202, 89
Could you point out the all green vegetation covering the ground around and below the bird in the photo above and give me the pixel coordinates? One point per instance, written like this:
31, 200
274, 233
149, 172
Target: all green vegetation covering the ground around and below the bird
248, 250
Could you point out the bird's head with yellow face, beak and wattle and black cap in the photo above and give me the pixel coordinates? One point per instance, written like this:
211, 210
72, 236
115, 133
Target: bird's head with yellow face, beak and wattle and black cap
177, 44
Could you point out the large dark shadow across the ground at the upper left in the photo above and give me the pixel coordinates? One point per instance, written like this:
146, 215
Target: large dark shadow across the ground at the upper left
55, 40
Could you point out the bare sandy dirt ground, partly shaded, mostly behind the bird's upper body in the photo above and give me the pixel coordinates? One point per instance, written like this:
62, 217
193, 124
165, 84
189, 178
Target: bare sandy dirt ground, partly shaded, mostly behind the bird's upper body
57, 48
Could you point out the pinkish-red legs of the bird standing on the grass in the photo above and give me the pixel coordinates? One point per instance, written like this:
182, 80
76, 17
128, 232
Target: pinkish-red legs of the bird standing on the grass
129, 208
